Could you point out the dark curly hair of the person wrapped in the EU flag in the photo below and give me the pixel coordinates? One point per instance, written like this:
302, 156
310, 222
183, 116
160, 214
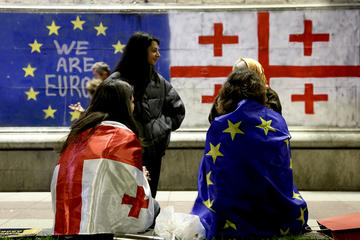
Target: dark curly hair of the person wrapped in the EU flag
240, 85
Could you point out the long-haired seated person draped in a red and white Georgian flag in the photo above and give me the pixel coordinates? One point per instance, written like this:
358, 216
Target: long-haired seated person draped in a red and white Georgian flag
98, 185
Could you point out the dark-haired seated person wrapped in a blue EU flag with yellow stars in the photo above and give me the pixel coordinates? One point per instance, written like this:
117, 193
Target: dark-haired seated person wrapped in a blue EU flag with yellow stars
245, 181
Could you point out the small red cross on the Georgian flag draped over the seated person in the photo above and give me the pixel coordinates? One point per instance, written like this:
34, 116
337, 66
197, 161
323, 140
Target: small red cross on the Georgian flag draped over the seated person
137, 202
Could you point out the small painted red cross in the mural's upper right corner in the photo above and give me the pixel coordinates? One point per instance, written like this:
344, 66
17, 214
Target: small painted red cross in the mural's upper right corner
308, 37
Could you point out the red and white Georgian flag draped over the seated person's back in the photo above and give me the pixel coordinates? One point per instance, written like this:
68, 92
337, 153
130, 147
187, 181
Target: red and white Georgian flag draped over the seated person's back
98, 185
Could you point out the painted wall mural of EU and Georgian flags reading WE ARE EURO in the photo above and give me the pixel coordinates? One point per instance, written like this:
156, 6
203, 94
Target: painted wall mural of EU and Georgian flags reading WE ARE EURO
311, 58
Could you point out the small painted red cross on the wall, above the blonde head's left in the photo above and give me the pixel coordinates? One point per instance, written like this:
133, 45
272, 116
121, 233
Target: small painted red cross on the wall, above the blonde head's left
218, 39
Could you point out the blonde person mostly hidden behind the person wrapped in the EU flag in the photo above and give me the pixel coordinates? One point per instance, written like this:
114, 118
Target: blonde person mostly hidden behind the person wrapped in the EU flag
272, 101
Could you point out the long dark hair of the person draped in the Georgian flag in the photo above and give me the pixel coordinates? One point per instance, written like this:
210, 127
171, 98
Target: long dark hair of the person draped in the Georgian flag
111, 101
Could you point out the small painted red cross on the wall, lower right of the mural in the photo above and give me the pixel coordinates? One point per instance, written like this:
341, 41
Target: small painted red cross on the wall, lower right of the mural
309, 98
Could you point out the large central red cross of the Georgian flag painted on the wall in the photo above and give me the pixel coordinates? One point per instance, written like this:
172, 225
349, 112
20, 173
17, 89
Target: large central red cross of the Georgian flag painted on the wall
271, 71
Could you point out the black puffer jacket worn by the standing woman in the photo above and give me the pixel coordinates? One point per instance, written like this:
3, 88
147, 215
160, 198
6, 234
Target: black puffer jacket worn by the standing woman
158, 112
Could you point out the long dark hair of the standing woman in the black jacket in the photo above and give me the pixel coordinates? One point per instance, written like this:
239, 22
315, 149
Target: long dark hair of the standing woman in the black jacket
134, 65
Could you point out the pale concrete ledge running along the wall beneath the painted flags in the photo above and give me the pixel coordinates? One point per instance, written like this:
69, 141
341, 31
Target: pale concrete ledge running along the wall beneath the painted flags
47, 138
